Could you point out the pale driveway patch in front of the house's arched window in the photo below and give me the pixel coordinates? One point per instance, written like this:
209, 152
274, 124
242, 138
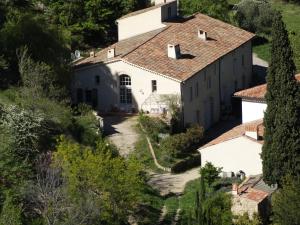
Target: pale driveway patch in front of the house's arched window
120, 131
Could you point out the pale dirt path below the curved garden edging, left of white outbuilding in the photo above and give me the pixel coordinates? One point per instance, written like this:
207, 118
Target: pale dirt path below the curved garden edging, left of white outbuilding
172, 183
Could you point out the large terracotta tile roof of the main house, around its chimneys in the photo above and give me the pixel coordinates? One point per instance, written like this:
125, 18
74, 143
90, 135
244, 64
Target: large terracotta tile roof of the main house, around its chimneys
196, 53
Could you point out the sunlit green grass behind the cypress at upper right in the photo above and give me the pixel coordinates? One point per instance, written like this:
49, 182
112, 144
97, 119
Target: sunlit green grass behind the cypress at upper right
291, 17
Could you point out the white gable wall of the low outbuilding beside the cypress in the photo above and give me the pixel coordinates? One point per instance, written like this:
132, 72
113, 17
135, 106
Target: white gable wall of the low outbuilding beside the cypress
233, 155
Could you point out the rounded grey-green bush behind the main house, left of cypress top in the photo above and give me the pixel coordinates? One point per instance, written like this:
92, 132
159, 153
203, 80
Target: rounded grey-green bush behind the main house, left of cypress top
255, 16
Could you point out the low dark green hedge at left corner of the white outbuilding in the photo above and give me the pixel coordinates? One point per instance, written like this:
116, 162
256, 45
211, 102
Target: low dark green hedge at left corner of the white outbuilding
186, 164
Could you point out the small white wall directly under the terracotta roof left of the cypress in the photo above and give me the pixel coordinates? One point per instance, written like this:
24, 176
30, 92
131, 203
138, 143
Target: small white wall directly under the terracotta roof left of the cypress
253, 110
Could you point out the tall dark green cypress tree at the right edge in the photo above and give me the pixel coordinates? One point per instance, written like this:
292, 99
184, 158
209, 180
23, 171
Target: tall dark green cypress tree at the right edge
281, 149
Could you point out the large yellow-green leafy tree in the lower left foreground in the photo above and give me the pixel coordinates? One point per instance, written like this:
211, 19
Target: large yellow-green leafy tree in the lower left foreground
113, 183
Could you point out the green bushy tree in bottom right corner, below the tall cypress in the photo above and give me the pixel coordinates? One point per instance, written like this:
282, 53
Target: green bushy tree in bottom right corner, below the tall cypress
286, 202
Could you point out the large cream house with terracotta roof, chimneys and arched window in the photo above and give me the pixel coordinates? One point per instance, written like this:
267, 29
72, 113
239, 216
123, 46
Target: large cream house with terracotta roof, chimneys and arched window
201, 60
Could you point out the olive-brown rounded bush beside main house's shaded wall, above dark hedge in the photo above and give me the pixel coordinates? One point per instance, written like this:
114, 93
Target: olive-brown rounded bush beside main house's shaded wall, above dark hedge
180, 145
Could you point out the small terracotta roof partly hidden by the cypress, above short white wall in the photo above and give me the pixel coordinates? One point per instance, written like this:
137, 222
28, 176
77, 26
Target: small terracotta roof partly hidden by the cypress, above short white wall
257, 92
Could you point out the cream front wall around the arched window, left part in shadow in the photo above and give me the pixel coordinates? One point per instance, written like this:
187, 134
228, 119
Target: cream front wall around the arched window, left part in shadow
108, 90
